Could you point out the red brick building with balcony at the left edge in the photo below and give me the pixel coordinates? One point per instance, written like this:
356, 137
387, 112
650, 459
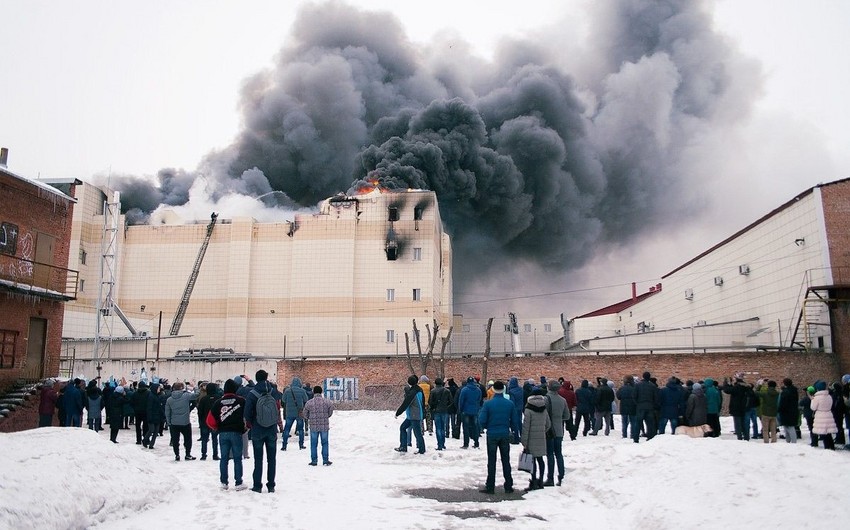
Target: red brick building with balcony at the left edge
35, 233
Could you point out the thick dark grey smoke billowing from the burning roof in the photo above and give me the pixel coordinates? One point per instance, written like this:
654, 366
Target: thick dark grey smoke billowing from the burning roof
537, 157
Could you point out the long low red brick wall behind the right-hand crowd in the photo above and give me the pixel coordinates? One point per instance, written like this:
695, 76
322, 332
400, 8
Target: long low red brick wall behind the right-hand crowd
803, 368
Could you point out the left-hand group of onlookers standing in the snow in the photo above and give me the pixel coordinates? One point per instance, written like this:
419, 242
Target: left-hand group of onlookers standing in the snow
242, 413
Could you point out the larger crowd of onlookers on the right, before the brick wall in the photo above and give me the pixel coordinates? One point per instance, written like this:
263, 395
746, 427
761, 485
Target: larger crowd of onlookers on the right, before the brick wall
539, 414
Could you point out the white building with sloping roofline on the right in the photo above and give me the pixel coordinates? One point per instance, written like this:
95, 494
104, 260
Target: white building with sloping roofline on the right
780, 283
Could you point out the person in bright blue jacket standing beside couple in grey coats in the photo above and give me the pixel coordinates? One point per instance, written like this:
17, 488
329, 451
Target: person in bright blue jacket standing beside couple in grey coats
500, 419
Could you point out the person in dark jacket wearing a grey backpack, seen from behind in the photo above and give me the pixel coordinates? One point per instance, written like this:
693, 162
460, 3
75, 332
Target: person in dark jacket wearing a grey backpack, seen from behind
262, 416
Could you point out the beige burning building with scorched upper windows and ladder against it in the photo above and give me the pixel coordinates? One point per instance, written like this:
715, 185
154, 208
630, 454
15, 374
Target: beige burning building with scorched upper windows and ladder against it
348, 280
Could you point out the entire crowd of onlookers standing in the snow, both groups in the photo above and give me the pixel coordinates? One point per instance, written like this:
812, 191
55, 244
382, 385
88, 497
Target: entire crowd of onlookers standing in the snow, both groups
537, 414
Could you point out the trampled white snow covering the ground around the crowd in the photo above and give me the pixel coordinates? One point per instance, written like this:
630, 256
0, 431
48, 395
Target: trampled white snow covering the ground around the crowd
75, 478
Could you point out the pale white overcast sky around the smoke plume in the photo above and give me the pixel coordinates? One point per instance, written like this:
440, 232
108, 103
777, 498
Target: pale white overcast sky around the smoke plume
104, 87
